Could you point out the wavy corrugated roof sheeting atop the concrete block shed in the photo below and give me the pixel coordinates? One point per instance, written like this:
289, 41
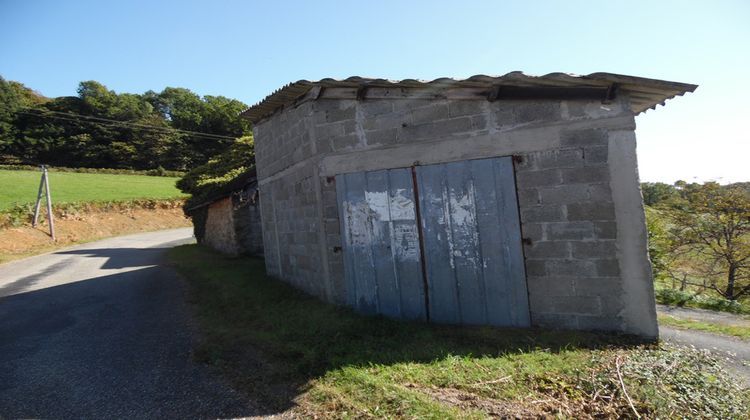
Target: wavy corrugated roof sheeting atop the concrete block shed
644, 93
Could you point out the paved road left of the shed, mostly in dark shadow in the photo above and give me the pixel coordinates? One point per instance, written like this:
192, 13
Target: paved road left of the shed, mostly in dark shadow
102, 331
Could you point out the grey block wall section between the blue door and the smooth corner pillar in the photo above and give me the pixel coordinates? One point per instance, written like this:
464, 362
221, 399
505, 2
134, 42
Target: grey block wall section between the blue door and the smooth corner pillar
570, 231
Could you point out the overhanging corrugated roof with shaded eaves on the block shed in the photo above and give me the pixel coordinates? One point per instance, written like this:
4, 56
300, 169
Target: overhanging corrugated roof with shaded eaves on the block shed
644, 93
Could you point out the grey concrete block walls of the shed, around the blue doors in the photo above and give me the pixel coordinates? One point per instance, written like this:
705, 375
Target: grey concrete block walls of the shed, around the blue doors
570, 213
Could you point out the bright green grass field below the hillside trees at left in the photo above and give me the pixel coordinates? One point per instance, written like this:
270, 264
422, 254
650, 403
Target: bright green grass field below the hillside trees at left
20, 187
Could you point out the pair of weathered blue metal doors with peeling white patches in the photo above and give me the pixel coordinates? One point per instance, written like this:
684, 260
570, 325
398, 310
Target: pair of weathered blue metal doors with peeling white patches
474, 272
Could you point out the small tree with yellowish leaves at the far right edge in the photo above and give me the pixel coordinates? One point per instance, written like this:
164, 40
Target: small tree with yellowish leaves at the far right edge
711, 224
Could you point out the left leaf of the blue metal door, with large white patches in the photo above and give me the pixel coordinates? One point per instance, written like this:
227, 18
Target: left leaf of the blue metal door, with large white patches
380, 243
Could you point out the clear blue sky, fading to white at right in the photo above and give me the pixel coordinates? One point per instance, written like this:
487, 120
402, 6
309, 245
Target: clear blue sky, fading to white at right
248, 49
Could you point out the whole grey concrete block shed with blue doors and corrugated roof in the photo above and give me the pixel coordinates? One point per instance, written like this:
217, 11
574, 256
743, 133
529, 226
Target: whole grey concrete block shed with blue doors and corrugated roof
506, 201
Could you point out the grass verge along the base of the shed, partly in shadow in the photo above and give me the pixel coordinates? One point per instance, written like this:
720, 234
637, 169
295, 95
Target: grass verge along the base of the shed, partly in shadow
288, 350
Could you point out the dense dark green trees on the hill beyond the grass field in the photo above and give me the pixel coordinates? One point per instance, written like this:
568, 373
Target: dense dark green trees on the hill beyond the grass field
174, 129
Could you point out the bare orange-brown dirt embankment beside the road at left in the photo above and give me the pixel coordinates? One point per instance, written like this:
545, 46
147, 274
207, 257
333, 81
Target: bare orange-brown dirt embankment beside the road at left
19, 242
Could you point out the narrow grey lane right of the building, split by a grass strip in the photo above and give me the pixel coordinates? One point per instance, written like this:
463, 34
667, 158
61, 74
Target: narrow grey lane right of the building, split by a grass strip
733, 351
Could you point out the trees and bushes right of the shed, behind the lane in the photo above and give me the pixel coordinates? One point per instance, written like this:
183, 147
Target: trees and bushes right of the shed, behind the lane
699, 236
